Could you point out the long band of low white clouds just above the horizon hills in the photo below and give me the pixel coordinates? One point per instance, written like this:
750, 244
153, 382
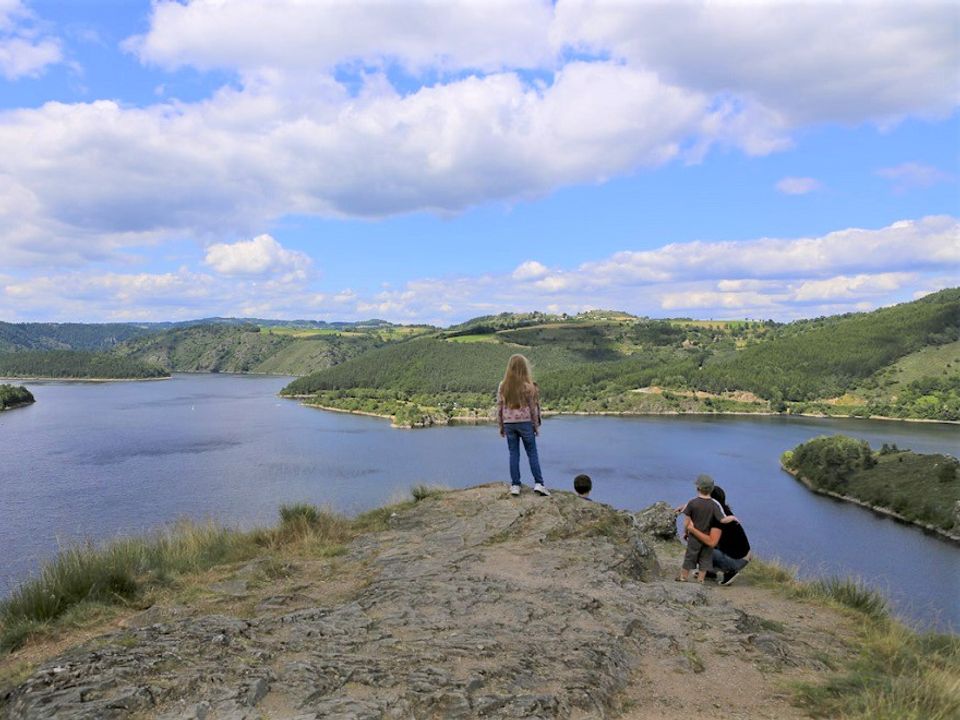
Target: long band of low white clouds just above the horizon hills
783, 278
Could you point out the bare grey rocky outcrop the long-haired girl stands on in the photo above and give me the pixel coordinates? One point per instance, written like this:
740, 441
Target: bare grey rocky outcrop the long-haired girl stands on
471, 605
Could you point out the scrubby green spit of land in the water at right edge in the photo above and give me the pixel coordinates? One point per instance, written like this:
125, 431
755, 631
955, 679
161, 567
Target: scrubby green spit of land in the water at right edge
920, 489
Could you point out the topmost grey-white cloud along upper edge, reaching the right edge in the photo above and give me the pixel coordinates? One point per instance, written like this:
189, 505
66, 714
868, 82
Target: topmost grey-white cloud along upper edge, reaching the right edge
882, 60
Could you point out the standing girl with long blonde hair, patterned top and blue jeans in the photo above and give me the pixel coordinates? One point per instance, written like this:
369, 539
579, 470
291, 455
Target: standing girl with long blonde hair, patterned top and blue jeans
518, 414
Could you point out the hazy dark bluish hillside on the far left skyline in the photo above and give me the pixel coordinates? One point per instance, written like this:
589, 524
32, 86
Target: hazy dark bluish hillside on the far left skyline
66, 336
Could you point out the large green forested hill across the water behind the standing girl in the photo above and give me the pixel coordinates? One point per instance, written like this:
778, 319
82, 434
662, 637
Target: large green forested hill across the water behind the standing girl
613, 362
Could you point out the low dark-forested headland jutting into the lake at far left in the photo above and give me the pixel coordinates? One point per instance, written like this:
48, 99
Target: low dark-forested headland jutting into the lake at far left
75, 364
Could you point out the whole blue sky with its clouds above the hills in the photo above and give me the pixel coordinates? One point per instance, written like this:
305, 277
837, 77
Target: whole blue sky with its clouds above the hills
426, 162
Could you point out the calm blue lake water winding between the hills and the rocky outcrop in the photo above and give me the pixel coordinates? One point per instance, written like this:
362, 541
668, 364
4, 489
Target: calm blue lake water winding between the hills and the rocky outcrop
95, 460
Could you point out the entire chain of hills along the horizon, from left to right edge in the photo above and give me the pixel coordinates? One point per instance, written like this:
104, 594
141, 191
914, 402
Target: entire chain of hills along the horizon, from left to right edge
899, 361
